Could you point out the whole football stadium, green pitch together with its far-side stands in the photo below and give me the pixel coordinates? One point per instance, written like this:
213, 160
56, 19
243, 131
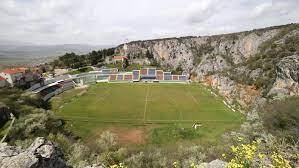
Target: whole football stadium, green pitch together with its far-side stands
145, 98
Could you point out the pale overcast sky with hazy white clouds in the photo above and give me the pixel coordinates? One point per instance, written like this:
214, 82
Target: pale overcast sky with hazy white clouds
118, 21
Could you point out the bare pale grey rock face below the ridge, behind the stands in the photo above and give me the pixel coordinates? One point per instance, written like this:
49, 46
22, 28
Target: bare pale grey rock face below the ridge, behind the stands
182, 52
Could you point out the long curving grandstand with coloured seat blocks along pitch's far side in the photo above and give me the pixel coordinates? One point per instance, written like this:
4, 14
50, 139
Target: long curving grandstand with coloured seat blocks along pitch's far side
54, 86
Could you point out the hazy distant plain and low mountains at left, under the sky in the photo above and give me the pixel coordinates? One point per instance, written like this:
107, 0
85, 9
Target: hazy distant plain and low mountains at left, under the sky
14, 53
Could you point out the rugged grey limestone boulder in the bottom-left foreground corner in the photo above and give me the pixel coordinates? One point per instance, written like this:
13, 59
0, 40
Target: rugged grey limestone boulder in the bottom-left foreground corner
41, 154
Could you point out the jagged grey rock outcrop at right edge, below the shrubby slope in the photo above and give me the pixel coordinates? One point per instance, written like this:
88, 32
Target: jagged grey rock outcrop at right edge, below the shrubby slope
287, 80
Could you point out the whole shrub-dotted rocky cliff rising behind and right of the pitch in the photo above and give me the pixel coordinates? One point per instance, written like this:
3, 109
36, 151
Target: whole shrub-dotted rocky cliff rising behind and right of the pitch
243, 67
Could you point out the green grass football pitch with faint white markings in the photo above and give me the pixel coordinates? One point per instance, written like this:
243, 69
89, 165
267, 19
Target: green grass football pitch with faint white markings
144, 103
